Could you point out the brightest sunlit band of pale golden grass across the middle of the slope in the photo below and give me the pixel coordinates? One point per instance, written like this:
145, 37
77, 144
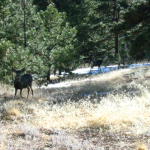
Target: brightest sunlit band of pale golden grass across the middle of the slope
116, 113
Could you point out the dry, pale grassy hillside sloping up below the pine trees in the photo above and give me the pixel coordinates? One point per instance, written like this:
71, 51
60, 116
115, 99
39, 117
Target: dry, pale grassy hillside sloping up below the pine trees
108, 111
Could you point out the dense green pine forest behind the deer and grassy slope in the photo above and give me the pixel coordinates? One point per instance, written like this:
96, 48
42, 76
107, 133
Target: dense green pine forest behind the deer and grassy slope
45, 36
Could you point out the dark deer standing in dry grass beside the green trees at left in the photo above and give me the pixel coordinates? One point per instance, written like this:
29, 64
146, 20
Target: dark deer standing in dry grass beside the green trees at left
22, 81
